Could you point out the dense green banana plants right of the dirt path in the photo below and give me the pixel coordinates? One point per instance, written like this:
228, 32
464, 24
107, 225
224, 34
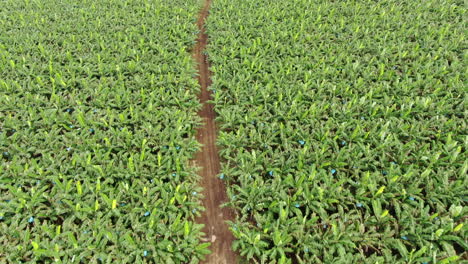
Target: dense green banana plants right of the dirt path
343, 128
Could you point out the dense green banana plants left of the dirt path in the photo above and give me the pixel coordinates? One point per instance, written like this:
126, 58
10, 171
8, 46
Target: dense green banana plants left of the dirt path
97, 114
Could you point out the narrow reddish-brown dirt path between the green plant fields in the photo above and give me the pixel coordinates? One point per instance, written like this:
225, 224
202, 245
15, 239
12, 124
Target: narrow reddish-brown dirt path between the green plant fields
214, 190
